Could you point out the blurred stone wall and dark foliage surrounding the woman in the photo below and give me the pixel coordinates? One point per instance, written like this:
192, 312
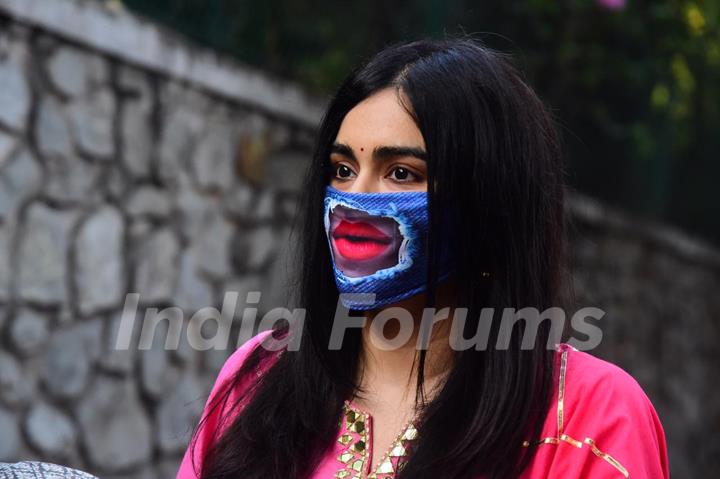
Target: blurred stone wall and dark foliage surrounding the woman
156, 146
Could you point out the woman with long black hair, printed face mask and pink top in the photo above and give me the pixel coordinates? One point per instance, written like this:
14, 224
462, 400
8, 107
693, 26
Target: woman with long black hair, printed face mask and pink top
436, 182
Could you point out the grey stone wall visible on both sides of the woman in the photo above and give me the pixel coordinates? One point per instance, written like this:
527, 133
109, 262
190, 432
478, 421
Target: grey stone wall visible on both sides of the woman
133, 162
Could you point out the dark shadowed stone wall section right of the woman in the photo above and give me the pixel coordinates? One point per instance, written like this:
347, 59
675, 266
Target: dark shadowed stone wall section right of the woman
659, 289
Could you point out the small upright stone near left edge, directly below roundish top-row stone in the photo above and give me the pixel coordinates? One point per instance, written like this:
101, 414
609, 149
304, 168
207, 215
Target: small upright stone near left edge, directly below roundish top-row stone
52, 129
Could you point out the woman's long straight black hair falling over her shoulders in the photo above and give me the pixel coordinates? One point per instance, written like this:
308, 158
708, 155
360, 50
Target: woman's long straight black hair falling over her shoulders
495, 173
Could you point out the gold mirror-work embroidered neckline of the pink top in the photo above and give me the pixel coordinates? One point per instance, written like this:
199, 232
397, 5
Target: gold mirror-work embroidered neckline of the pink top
356, 428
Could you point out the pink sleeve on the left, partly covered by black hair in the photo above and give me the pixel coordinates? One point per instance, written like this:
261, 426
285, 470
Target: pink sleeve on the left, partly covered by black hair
211, 430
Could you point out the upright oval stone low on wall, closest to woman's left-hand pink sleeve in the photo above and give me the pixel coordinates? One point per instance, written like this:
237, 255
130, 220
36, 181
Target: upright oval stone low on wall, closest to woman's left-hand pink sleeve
178, 413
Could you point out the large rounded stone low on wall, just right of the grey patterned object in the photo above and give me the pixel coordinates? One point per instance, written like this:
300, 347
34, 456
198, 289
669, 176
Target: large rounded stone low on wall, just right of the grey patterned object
114, 426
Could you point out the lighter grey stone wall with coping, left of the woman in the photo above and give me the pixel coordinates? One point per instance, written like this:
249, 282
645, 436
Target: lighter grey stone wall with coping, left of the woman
121, 174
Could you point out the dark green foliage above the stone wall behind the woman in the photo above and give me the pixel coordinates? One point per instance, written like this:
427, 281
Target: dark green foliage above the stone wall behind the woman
636, 90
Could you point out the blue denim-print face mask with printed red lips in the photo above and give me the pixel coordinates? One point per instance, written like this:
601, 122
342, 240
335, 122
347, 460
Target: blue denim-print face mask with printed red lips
377, 243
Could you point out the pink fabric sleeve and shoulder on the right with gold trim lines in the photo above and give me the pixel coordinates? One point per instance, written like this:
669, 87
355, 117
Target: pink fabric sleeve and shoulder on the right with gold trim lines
611, 429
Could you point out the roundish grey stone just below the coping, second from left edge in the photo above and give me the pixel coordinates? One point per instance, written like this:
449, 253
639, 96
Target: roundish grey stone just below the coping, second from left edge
74, 72
